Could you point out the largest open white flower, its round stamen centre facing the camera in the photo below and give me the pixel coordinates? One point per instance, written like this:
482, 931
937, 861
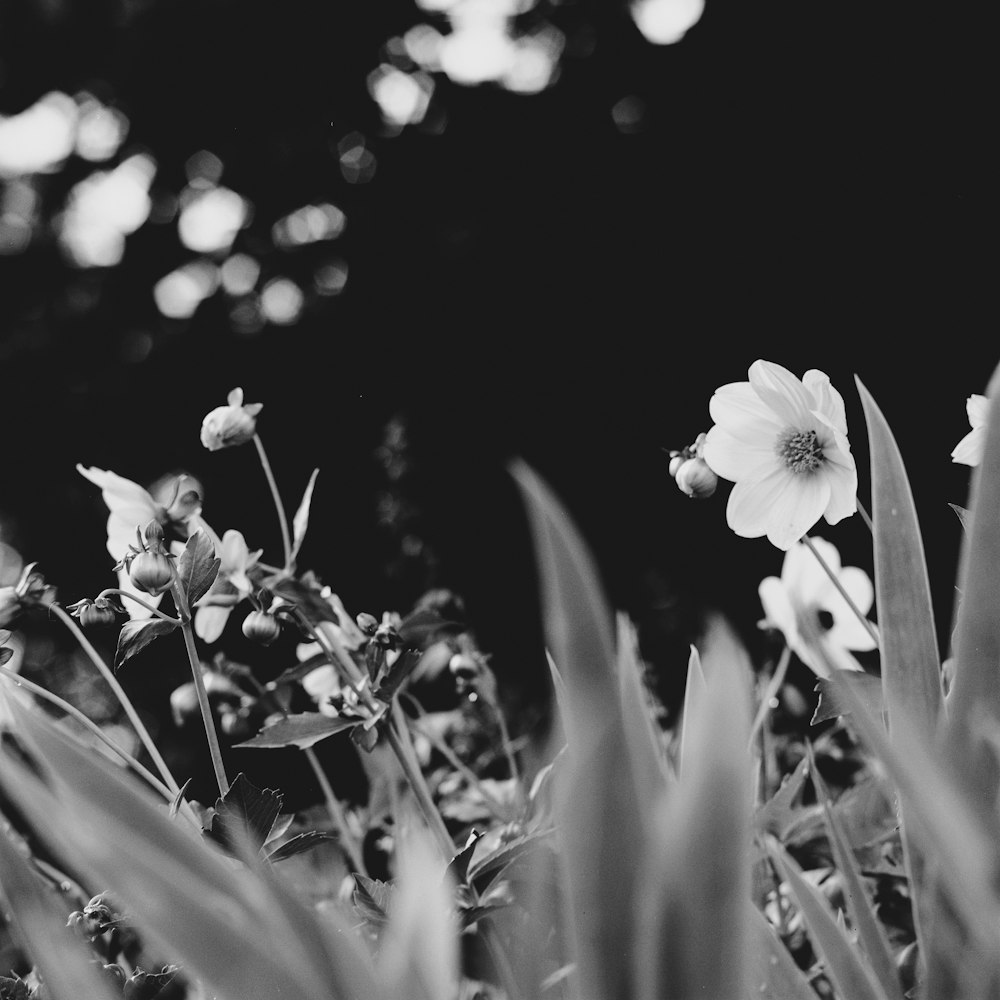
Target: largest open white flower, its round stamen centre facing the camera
784, 443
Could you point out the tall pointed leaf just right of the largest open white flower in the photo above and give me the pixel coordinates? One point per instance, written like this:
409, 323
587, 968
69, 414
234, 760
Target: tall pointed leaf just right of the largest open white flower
911, 670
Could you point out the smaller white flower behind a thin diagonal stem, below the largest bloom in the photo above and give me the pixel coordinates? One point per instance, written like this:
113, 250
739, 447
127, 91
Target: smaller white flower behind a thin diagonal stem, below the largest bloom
805, 589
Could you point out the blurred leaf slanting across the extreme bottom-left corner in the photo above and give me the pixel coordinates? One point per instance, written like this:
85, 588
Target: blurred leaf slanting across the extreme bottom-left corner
41, 928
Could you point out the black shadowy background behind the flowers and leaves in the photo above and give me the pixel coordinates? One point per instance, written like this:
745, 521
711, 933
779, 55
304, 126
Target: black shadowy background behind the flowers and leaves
807, 185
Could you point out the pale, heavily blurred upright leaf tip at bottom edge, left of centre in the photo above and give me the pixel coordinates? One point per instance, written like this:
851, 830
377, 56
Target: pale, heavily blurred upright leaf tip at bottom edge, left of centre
419, 952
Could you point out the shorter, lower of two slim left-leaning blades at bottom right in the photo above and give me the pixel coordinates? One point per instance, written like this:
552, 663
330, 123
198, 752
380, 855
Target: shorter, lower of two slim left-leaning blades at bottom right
851, 976
